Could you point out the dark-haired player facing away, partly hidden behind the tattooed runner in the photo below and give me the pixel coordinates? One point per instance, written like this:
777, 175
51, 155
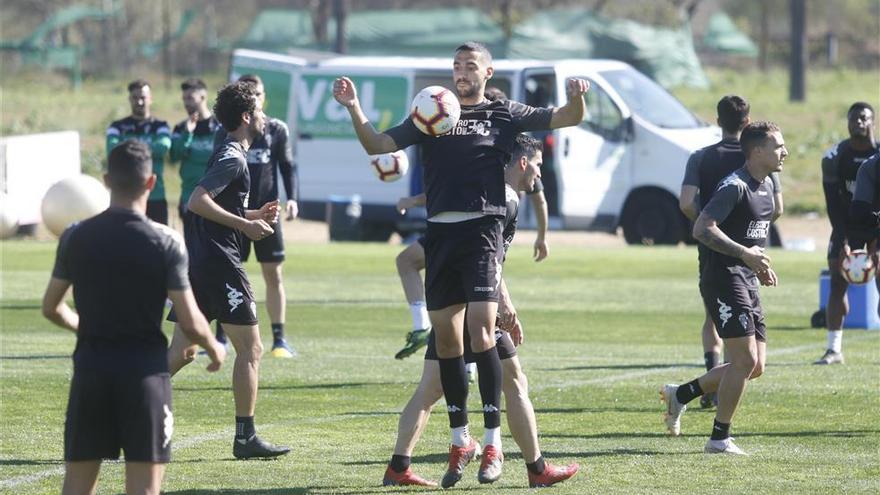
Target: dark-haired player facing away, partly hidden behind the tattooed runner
705, 169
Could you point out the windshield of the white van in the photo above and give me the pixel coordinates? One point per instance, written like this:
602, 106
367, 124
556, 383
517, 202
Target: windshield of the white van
649, 101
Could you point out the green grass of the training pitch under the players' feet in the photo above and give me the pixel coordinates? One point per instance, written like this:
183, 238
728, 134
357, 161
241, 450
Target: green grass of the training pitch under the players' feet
604, 328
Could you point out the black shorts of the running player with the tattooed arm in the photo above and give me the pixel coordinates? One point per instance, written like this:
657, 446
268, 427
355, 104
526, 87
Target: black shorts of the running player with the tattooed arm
733, 302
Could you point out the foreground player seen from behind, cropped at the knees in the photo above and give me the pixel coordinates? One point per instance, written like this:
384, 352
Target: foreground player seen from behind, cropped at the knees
122, 266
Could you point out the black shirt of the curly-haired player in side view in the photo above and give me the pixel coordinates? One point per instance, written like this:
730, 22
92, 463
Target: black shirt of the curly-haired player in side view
227, 180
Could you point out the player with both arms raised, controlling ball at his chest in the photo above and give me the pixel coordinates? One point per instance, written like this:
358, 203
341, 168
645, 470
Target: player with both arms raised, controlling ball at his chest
464, 187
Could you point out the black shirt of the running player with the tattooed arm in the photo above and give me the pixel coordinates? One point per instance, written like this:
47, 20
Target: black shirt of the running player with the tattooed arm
743, 209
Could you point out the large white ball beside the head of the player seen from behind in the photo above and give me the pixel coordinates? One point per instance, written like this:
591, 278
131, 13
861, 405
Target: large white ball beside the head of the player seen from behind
72, 200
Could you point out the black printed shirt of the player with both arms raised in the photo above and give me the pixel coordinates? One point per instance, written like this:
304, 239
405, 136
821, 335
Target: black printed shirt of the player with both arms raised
464, 168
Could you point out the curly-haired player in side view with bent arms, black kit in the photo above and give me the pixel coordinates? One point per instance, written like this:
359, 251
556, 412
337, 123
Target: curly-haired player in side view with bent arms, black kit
221, 286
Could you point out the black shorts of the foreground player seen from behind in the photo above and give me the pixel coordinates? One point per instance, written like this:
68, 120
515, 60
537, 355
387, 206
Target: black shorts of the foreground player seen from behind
110, 411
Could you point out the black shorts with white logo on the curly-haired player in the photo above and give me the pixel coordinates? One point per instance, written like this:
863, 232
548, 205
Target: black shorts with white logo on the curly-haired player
223, 293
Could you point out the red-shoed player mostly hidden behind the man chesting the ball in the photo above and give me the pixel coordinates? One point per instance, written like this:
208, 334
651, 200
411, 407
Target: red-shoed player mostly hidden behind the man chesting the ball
523, 171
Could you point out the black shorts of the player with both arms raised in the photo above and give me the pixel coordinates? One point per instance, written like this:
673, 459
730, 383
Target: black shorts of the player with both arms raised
463, 262
